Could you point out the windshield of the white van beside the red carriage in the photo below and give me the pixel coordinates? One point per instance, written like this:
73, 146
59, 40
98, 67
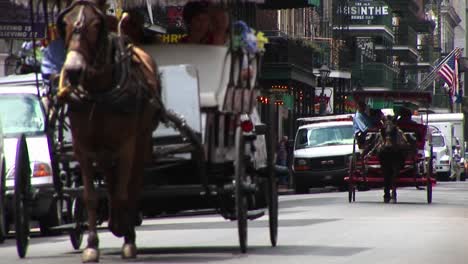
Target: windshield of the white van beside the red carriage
324, 136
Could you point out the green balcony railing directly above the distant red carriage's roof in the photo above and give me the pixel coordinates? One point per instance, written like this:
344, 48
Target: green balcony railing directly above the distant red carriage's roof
374, 74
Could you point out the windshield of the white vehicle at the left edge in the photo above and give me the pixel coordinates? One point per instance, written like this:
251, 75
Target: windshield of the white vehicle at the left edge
20, 113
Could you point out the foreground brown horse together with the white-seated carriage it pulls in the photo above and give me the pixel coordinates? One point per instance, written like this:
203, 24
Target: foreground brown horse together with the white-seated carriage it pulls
162, 127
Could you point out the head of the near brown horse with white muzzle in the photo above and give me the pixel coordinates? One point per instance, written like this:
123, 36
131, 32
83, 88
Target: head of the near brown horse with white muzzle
82, 25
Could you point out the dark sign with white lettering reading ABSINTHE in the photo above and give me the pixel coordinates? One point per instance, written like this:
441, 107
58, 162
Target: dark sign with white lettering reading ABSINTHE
364, 9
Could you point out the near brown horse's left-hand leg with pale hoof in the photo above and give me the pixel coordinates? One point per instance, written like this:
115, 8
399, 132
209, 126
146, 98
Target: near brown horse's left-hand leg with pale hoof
90, 197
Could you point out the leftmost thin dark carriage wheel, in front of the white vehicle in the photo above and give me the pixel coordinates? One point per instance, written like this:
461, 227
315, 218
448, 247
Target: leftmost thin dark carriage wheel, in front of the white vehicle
22, 196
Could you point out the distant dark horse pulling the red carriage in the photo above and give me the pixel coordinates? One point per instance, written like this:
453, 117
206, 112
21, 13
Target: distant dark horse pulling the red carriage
392, 148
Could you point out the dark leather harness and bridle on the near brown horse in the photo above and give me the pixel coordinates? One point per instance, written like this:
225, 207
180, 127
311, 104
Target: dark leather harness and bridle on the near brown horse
127, 93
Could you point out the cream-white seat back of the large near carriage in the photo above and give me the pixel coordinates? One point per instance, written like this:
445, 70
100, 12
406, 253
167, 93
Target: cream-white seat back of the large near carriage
212, 64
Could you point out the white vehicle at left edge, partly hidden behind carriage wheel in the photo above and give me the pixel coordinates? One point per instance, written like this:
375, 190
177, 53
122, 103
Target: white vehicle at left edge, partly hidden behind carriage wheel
22, 112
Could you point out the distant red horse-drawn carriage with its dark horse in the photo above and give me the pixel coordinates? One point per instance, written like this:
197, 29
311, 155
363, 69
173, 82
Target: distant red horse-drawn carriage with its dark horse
392, 153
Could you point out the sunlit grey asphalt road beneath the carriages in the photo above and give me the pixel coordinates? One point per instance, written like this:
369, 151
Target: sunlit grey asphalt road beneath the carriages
314, 228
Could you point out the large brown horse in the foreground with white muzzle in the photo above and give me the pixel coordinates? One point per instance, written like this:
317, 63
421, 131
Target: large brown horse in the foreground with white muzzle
112, 90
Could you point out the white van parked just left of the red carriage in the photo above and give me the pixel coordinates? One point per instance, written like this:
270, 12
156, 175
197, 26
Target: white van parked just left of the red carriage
322, 151
